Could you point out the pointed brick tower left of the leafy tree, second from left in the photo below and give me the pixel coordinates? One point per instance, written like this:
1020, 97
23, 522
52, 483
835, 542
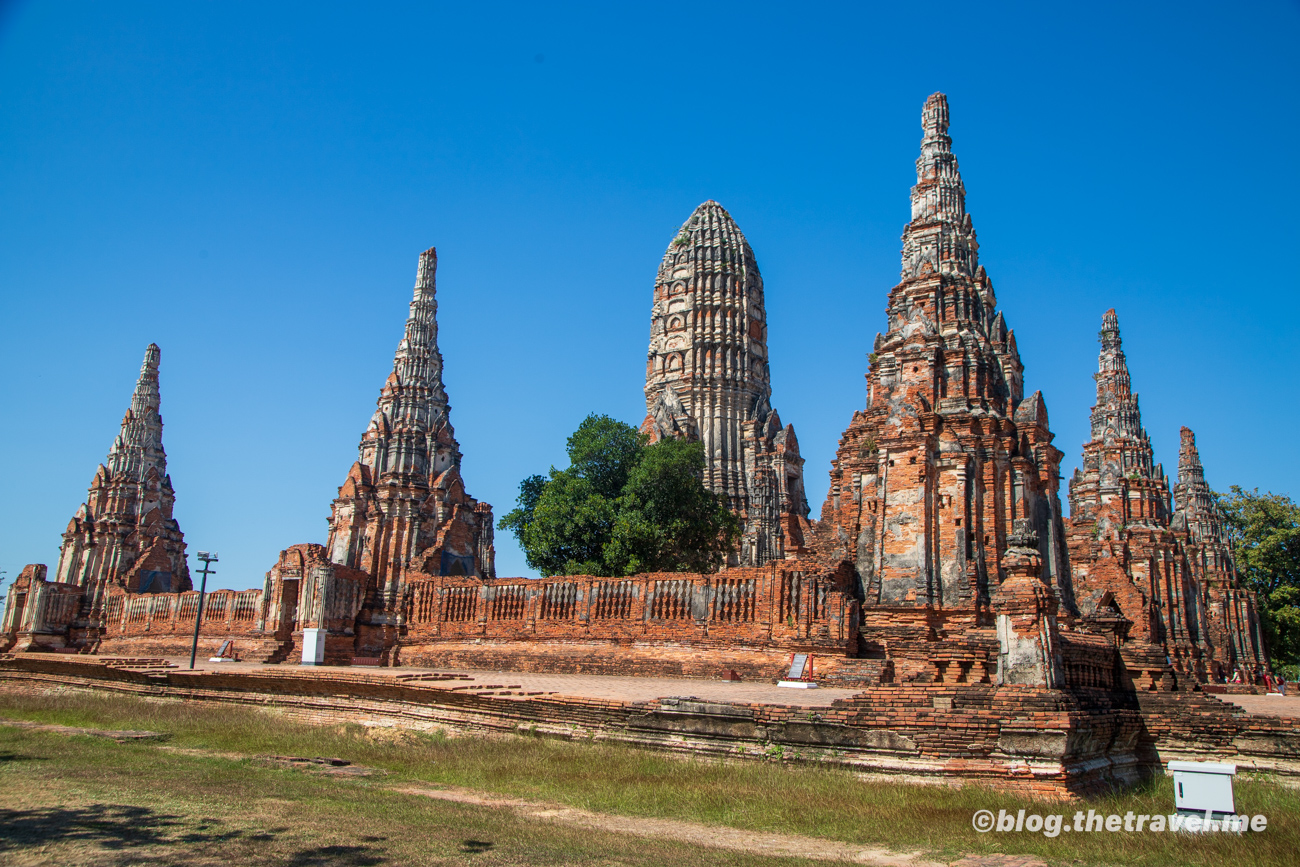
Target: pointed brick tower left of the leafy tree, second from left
404, 505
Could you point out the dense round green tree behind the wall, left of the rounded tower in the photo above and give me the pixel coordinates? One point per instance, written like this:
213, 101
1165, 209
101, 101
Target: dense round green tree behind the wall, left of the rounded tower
622, 508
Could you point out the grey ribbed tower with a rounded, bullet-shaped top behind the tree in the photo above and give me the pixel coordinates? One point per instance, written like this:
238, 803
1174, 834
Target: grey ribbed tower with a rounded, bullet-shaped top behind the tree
708, 380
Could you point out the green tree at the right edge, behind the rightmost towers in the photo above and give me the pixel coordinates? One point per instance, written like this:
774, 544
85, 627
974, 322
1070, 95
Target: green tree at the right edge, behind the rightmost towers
1266, 535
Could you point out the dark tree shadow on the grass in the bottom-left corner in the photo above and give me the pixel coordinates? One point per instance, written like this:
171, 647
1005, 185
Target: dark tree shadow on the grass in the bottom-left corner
129, 831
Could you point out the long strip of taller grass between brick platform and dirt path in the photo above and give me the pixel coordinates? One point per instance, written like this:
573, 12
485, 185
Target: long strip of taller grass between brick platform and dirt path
813, 801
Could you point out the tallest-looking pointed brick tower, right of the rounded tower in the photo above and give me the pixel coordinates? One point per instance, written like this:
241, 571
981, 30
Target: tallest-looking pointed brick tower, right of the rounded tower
950, 459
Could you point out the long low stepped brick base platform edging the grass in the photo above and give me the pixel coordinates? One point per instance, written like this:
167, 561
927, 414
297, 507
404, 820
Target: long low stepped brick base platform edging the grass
1050, 743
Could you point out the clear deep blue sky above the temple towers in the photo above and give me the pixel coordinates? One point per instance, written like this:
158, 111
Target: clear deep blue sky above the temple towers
250, 185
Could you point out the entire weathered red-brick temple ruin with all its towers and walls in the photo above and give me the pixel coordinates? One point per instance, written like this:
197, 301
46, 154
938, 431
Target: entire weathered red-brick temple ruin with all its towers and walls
989, 634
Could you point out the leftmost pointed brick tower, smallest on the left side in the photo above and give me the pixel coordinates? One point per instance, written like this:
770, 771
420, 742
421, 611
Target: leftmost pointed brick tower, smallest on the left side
125, 535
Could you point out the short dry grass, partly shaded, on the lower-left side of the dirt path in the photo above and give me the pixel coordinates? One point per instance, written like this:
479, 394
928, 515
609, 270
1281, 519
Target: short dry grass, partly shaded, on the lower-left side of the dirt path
89, 801
